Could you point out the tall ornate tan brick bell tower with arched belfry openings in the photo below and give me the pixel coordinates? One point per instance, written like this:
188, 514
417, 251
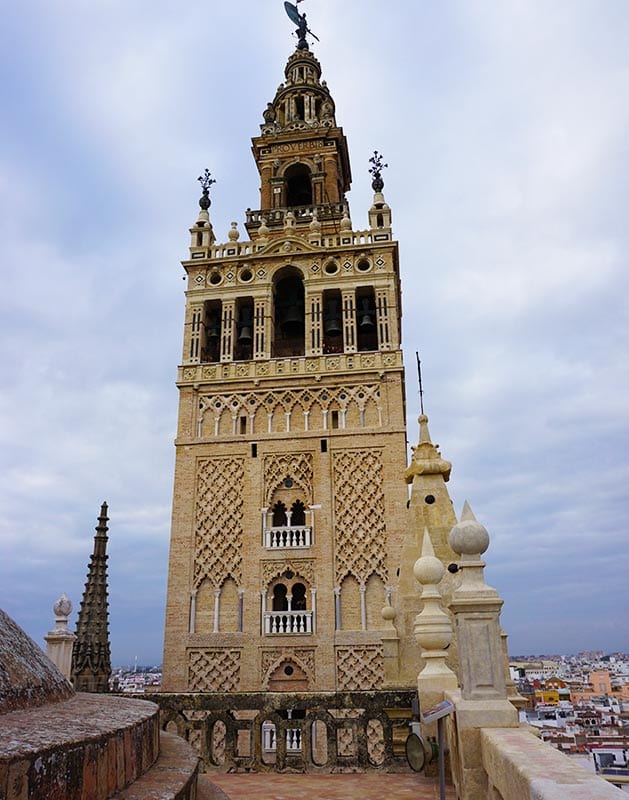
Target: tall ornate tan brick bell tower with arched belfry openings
289, 514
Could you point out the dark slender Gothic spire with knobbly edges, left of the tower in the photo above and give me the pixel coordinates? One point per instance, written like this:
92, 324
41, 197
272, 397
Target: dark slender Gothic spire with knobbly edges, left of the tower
91, 656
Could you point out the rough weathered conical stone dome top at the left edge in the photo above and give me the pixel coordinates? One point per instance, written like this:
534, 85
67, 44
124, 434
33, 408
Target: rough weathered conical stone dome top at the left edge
27, 677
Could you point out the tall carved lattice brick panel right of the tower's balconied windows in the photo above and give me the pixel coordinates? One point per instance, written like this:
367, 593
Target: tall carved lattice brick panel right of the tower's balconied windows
359, 529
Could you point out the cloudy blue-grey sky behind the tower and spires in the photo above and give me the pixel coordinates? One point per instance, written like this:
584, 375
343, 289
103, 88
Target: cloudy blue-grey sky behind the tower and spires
505, 124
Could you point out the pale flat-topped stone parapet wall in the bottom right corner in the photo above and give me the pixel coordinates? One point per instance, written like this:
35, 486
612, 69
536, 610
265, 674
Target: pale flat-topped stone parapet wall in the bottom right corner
521, 767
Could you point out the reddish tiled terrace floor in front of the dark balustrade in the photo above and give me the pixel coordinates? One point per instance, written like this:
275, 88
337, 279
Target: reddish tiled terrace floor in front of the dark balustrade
274, 786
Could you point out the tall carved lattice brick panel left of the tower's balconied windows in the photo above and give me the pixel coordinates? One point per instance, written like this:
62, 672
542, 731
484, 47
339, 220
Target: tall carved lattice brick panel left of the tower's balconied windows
218, 540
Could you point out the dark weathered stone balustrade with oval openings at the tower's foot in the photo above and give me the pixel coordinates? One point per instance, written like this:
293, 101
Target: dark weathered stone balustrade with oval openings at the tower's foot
334, 732
